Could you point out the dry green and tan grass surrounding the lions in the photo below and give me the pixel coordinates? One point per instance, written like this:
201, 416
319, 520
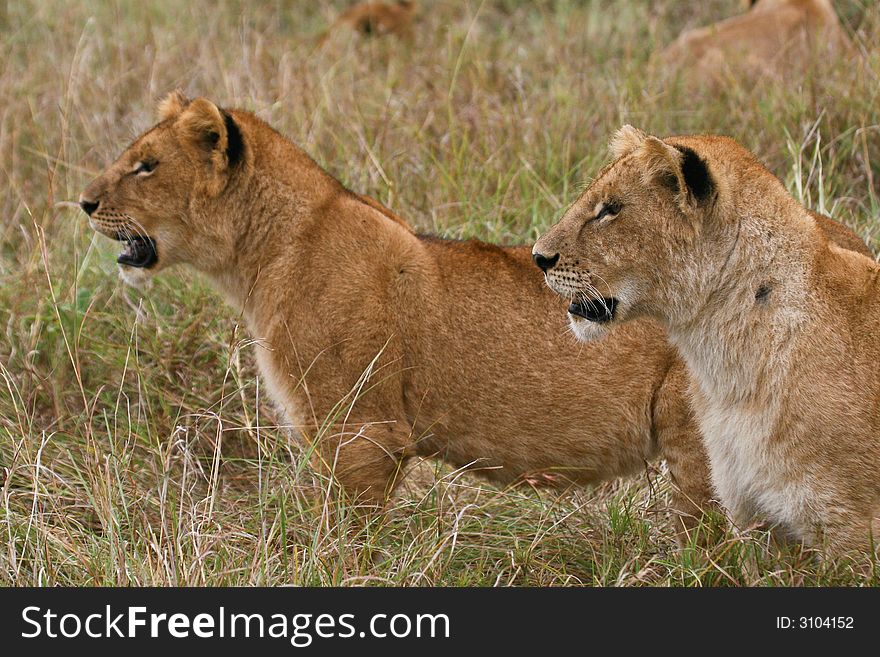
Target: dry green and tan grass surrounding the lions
136, 446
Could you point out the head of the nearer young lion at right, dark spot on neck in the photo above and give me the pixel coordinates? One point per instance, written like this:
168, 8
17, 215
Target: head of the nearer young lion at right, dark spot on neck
609, 254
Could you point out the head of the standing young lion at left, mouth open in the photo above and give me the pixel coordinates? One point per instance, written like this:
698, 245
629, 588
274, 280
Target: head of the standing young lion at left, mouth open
150, 198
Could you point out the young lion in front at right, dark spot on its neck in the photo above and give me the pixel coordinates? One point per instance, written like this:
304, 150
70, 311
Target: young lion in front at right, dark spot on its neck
779, 328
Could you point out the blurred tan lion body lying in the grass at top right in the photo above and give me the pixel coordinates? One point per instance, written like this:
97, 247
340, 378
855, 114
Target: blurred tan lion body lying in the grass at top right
775, 38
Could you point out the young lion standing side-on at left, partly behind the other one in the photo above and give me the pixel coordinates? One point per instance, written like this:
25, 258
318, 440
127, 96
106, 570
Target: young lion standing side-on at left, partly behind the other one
381, 345
